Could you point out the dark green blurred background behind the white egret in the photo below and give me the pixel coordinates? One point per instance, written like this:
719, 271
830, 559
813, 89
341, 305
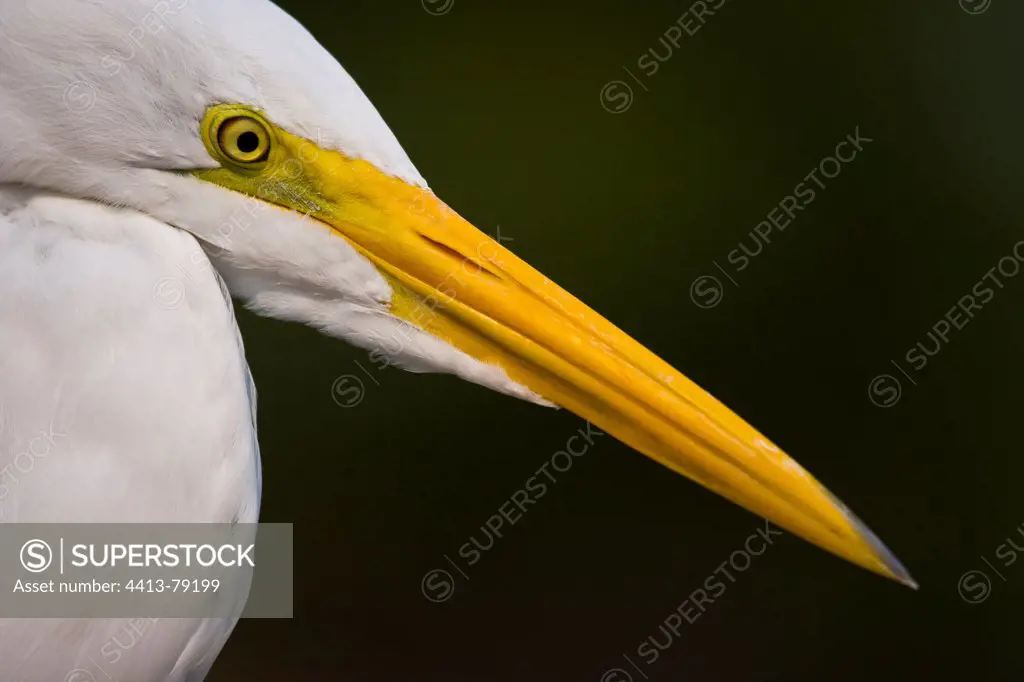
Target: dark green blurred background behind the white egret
498, 104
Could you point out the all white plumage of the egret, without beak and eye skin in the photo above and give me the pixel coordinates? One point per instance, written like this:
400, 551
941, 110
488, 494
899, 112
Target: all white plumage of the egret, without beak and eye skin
150, 396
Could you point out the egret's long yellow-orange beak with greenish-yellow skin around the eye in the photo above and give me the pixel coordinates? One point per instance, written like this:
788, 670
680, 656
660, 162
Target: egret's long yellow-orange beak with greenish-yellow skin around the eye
455, 282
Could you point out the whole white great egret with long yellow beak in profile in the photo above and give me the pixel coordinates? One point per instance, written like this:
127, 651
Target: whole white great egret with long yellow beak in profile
218, 145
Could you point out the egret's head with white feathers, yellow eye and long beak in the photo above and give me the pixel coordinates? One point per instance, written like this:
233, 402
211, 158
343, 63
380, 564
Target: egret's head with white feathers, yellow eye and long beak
228, 120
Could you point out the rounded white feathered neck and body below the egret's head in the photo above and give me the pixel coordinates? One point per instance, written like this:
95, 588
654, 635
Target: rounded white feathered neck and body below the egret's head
121, 348
